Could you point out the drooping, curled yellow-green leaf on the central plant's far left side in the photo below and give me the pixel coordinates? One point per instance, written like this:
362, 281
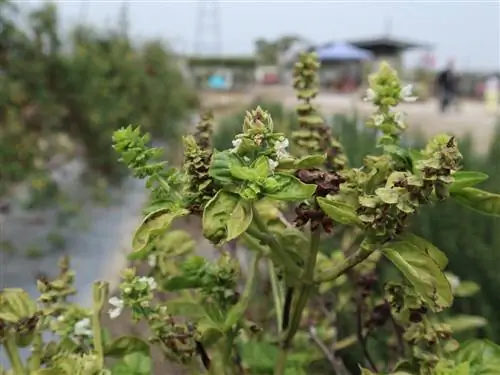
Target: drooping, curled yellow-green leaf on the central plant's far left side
153, 225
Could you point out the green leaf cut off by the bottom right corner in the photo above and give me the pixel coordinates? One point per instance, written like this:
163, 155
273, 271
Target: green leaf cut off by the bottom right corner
483, 357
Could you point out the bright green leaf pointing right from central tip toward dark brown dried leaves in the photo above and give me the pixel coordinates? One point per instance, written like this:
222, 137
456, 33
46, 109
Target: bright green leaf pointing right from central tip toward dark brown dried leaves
285, 187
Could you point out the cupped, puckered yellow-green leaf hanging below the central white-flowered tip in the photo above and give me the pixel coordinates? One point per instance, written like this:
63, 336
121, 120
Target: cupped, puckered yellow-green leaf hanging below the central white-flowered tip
225, 217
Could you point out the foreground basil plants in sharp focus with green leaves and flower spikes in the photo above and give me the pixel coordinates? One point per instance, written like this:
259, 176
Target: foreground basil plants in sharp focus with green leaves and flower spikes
245, 194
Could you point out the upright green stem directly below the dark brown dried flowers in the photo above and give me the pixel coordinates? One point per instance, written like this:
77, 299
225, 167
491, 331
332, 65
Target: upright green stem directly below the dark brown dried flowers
306, 287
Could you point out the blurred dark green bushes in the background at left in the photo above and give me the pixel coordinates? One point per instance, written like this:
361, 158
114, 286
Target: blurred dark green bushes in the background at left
61, 95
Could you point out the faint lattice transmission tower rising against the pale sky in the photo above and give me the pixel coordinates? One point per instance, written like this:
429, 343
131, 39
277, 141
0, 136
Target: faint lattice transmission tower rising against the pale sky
208, 33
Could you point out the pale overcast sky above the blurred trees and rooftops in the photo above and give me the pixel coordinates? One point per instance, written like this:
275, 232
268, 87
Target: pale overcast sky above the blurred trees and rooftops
466, 31
